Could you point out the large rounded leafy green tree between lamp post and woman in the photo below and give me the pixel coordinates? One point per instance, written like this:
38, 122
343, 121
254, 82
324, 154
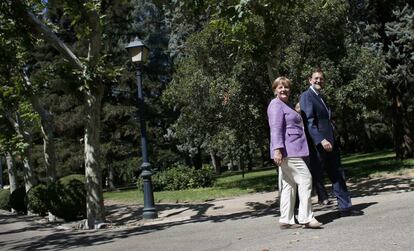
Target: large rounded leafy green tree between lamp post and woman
216, 86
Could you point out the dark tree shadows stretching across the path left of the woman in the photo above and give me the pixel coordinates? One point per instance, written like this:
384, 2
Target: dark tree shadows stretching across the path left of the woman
61, 240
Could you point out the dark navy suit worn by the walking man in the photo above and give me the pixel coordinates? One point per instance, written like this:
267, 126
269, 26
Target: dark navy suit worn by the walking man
317, 119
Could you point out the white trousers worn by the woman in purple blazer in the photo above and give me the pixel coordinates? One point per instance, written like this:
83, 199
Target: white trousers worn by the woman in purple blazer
294, 173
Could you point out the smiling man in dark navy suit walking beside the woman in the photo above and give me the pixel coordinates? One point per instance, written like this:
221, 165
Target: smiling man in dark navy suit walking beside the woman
317, 119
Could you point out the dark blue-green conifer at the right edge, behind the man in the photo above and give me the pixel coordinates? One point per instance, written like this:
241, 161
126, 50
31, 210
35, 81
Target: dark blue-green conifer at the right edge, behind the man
386, 28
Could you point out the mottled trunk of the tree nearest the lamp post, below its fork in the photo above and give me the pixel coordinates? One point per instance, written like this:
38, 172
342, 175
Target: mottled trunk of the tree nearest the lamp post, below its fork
93, 173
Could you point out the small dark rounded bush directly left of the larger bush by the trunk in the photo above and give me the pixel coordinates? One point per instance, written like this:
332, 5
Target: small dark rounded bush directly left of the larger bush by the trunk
37, 199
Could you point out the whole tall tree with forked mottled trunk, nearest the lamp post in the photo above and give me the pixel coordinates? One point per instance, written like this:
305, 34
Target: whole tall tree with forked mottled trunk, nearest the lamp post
87, 14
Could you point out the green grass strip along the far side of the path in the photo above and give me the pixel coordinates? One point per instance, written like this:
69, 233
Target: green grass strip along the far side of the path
233, 184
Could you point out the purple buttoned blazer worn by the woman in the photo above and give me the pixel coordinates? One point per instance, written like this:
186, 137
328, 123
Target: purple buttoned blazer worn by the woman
286, 130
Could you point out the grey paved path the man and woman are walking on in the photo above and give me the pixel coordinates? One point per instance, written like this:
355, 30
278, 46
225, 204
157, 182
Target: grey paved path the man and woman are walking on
388, 224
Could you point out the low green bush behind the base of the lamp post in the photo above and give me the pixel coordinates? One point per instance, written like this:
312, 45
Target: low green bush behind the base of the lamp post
179, 178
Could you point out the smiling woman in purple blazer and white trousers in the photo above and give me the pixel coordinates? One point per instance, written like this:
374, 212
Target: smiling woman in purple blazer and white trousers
288, 147
